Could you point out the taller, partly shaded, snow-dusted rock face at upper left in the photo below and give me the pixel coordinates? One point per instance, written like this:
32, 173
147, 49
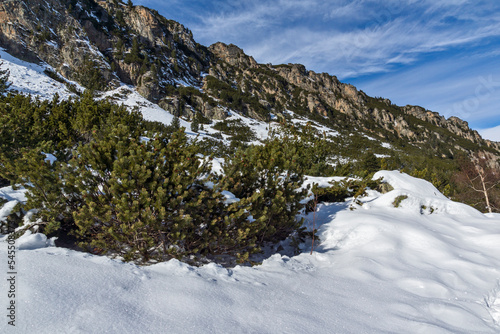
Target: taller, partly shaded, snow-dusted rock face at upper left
71, 39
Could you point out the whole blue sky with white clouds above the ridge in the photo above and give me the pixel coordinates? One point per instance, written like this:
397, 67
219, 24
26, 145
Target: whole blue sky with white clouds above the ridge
442, 55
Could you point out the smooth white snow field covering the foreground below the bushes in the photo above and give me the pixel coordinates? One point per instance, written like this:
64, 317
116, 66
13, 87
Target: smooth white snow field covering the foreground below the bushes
428, 266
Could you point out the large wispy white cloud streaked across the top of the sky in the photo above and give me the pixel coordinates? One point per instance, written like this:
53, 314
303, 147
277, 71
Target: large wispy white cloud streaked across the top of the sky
315, 33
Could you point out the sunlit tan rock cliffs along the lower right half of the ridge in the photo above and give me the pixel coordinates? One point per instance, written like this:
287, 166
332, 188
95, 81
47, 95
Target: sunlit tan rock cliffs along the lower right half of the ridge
322, 94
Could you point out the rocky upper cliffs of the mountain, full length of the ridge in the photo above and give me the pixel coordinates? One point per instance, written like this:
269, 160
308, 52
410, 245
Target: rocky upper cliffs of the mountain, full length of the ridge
101, 44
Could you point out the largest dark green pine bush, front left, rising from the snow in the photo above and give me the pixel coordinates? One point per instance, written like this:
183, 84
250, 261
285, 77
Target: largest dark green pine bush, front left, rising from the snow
146, 200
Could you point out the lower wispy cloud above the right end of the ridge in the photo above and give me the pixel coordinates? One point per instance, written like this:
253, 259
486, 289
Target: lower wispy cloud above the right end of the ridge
471, 92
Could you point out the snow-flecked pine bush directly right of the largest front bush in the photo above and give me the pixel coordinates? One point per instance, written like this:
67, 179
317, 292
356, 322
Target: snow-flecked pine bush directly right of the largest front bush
268, 177
